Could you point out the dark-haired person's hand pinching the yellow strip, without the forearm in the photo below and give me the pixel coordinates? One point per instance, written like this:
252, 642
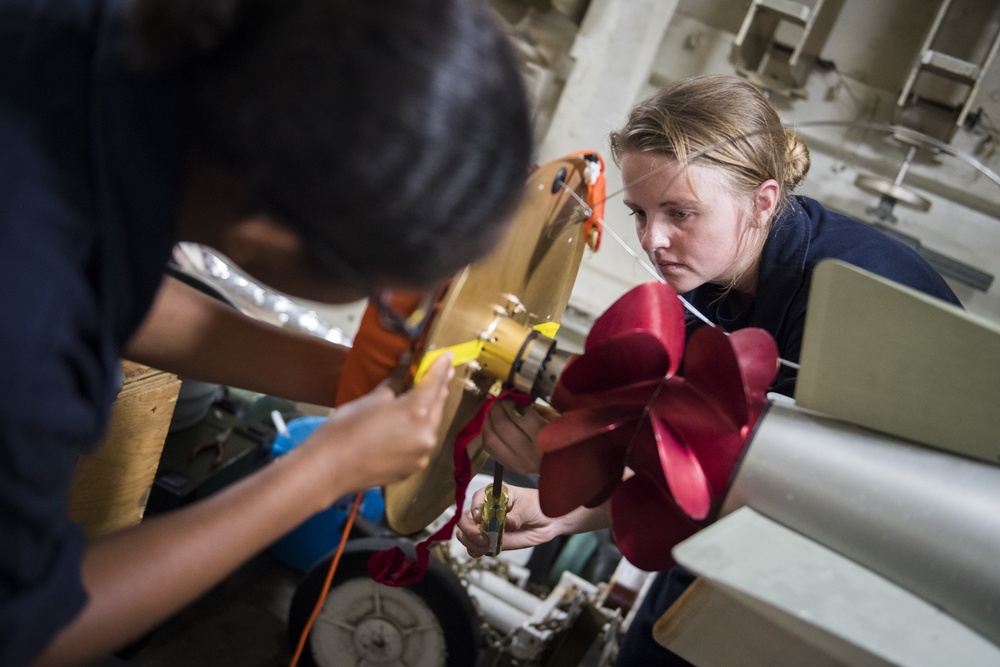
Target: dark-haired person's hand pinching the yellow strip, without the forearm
383, 437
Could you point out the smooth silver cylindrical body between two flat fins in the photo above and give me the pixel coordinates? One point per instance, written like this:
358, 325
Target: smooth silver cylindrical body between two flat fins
923, 518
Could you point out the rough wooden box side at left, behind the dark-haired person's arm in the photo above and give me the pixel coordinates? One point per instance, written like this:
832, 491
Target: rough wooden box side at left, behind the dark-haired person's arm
111, 485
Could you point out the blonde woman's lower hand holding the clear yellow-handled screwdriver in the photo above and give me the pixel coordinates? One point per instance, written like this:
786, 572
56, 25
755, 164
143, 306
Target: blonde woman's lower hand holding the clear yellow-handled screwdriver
526, 526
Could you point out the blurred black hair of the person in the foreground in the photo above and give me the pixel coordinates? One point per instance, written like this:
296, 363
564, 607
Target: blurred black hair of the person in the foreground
394, 132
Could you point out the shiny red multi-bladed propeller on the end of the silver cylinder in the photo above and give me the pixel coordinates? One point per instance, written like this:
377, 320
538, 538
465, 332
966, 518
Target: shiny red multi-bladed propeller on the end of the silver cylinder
623, 405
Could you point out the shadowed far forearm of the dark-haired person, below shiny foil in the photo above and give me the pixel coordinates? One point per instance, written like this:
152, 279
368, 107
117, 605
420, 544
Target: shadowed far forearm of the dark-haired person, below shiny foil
196, 336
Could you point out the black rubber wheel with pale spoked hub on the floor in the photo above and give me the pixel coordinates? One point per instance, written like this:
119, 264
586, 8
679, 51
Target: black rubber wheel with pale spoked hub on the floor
366, 623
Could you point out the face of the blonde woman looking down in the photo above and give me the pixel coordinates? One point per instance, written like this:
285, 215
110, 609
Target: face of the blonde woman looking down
691, 225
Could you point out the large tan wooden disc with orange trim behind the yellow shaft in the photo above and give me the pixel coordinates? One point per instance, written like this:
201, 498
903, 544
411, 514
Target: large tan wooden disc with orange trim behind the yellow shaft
528, 279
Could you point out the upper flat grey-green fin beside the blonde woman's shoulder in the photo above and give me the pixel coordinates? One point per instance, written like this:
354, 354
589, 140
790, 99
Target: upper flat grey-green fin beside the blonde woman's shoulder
884, 356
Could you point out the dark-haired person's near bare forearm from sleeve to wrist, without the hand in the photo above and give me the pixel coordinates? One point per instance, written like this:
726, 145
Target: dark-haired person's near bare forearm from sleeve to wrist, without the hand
138, 578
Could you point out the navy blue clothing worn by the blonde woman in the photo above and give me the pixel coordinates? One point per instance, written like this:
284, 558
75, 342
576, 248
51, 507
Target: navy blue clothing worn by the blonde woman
805, 234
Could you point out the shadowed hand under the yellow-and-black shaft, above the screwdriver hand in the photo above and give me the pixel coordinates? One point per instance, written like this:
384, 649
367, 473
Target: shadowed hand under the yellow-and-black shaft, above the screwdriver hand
510, 435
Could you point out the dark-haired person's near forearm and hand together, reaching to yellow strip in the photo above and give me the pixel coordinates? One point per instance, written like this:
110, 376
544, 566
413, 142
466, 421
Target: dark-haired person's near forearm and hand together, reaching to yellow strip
137, 578
